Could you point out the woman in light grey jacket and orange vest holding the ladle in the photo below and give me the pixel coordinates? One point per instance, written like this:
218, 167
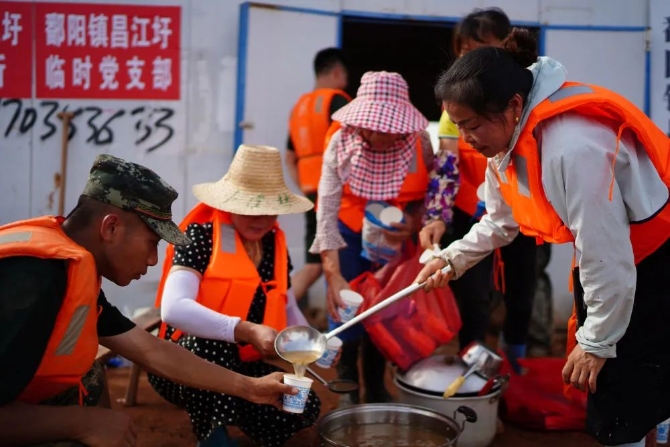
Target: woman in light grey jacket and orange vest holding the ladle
571, 162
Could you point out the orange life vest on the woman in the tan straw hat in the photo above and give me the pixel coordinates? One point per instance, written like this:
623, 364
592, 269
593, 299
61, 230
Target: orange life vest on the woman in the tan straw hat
231, 279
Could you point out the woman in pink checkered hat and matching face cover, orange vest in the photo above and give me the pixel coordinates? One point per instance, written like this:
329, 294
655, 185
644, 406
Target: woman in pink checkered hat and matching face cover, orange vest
381, 153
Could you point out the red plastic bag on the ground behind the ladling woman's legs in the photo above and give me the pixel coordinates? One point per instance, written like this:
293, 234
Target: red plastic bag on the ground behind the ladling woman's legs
535, 400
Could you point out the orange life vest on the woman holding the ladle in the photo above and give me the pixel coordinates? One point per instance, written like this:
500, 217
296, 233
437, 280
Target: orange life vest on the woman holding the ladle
521, 184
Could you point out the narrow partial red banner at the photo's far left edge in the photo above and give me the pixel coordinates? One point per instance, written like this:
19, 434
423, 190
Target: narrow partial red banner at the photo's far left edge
15, 49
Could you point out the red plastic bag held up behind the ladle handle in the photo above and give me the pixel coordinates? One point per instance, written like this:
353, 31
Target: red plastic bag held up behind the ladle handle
412, 328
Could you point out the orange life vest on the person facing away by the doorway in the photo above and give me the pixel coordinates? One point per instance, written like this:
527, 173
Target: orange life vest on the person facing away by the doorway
308, 125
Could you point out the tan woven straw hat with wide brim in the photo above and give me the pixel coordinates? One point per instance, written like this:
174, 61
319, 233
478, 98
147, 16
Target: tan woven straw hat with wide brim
253, 186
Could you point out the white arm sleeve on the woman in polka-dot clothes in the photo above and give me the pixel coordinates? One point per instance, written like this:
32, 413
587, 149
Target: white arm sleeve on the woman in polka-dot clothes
180, 309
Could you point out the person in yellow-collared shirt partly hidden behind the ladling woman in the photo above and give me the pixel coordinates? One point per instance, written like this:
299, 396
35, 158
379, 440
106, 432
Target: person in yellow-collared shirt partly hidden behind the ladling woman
473, 290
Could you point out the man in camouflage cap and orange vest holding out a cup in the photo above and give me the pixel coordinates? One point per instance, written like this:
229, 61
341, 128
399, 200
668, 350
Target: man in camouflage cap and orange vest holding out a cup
54, 313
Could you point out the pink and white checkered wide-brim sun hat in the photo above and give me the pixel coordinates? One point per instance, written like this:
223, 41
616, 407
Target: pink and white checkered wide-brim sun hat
382, 105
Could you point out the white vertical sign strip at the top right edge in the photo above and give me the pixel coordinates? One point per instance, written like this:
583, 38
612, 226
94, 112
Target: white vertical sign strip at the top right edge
659, 15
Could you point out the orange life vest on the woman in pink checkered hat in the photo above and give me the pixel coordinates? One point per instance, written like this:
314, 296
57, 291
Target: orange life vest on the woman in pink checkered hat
352, 207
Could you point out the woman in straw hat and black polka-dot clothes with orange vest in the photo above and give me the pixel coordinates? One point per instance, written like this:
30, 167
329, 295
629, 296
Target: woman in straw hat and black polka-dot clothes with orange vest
225, 296
